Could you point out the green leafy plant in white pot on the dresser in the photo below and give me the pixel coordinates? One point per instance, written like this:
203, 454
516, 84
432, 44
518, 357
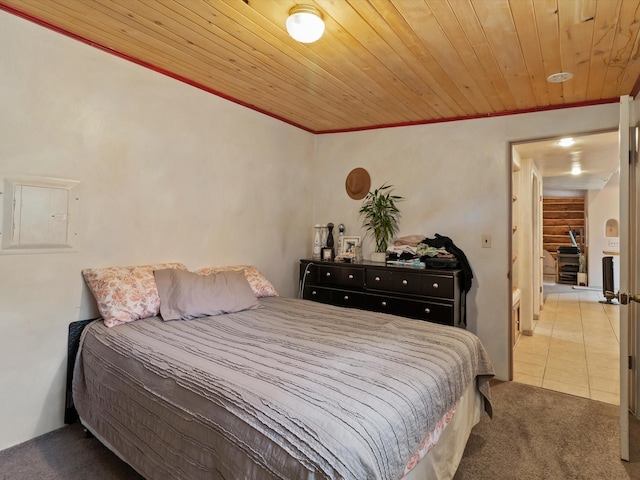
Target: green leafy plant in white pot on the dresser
380, 218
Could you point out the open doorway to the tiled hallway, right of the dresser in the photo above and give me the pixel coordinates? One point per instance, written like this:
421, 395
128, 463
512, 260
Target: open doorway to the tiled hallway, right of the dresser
569, 341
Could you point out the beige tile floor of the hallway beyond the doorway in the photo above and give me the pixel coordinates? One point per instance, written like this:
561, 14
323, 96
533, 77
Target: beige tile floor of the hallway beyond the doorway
574, 347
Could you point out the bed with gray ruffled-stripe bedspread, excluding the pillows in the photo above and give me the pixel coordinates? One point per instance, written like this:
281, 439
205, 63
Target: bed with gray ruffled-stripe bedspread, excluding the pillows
287, 389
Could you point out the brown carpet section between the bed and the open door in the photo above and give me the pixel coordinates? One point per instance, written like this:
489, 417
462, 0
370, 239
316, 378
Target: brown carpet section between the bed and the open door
541, 434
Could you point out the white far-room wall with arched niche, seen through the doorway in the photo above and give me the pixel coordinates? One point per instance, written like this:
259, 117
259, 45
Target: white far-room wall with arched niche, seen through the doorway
602, 205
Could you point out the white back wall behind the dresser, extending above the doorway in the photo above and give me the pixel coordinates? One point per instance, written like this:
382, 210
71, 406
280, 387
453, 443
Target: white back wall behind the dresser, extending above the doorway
456, 179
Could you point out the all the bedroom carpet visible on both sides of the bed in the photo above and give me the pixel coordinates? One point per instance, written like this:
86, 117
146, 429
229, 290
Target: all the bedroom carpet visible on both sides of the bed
535, 434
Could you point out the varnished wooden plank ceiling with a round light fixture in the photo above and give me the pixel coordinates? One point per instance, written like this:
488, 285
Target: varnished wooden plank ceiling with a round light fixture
380, 62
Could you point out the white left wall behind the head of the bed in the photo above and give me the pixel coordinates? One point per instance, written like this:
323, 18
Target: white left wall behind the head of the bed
168, 173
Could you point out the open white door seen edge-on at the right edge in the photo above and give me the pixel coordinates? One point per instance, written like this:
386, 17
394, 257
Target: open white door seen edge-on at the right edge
629, 271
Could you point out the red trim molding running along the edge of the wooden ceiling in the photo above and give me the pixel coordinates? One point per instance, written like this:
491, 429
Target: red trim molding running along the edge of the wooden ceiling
142, 63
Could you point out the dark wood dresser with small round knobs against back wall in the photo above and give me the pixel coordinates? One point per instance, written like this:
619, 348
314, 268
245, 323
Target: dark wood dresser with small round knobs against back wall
424, 294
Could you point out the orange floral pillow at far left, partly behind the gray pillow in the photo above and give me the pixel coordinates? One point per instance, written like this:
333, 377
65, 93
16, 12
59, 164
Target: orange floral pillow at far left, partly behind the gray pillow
125, 294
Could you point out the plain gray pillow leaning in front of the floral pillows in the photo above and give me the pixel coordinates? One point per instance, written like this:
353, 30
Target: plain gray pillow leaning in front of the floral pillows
185, 295
